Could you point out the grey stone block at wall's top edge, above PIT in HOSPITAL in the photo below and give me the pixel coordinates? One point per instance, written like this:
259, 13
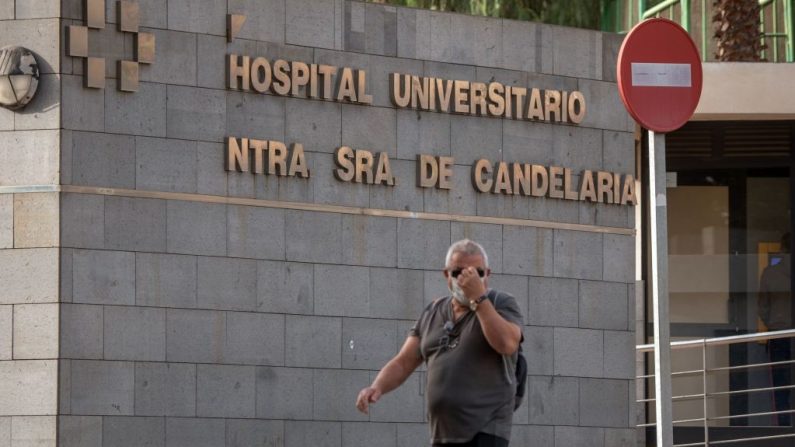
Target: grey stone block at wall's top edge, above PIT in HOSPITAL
312, 23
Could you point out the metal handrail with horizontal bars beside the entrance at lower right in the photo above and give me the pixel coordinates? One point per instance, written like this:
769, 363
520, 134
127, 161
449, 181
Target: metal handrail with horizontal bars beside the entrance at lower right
705, 371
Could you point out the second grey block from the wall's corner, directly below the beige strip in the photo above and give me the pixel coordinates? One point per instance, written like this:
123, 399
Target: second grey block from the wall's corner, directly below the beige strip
135, 224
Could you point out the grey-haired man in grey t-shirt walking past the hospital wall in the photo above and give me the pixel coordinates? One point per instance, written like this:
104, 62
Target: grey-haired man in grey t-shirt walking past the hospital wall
469, 342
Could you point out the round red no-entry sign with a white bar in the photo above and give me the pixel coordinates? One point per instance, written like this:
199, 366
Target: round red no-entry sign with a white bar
659, 75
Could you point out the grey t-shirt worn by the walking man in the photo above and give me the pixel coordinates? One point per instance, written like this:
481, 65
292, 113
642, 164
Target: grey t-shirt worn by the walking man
470, 386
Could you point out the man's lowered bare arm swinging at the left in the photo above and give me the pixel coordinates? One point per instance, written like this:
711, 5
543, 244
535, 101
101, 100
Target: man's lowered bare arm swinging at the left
392, 375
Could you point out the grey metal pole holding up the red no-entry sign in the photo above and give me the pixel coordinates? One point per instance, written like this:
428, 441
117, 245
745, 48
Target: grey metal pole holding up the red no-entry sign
658, 250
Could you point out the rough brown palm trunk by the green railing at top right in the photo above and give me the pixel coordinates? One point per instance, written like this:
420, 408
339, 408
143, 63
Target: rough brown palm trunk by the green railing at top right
738, 30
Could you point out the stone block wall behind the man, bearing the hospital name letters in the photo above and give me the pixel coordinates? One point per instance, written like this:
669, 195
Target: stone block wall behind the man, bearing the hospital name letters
206, 307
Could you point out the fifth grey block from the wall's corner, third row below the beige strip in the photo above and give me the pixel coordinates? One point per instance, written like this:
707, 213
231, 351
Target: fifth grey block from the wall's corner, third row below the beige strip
314, 342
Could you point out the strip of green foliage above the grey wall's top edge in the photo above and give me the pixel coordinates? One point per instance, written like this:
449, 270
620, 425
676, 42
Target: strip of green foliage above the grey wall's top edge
574, 13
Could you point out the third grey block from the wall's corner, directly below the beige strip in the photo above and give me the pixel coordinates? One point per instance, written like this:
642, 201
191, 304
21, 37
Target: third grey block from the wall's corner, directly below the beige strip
196, 228
